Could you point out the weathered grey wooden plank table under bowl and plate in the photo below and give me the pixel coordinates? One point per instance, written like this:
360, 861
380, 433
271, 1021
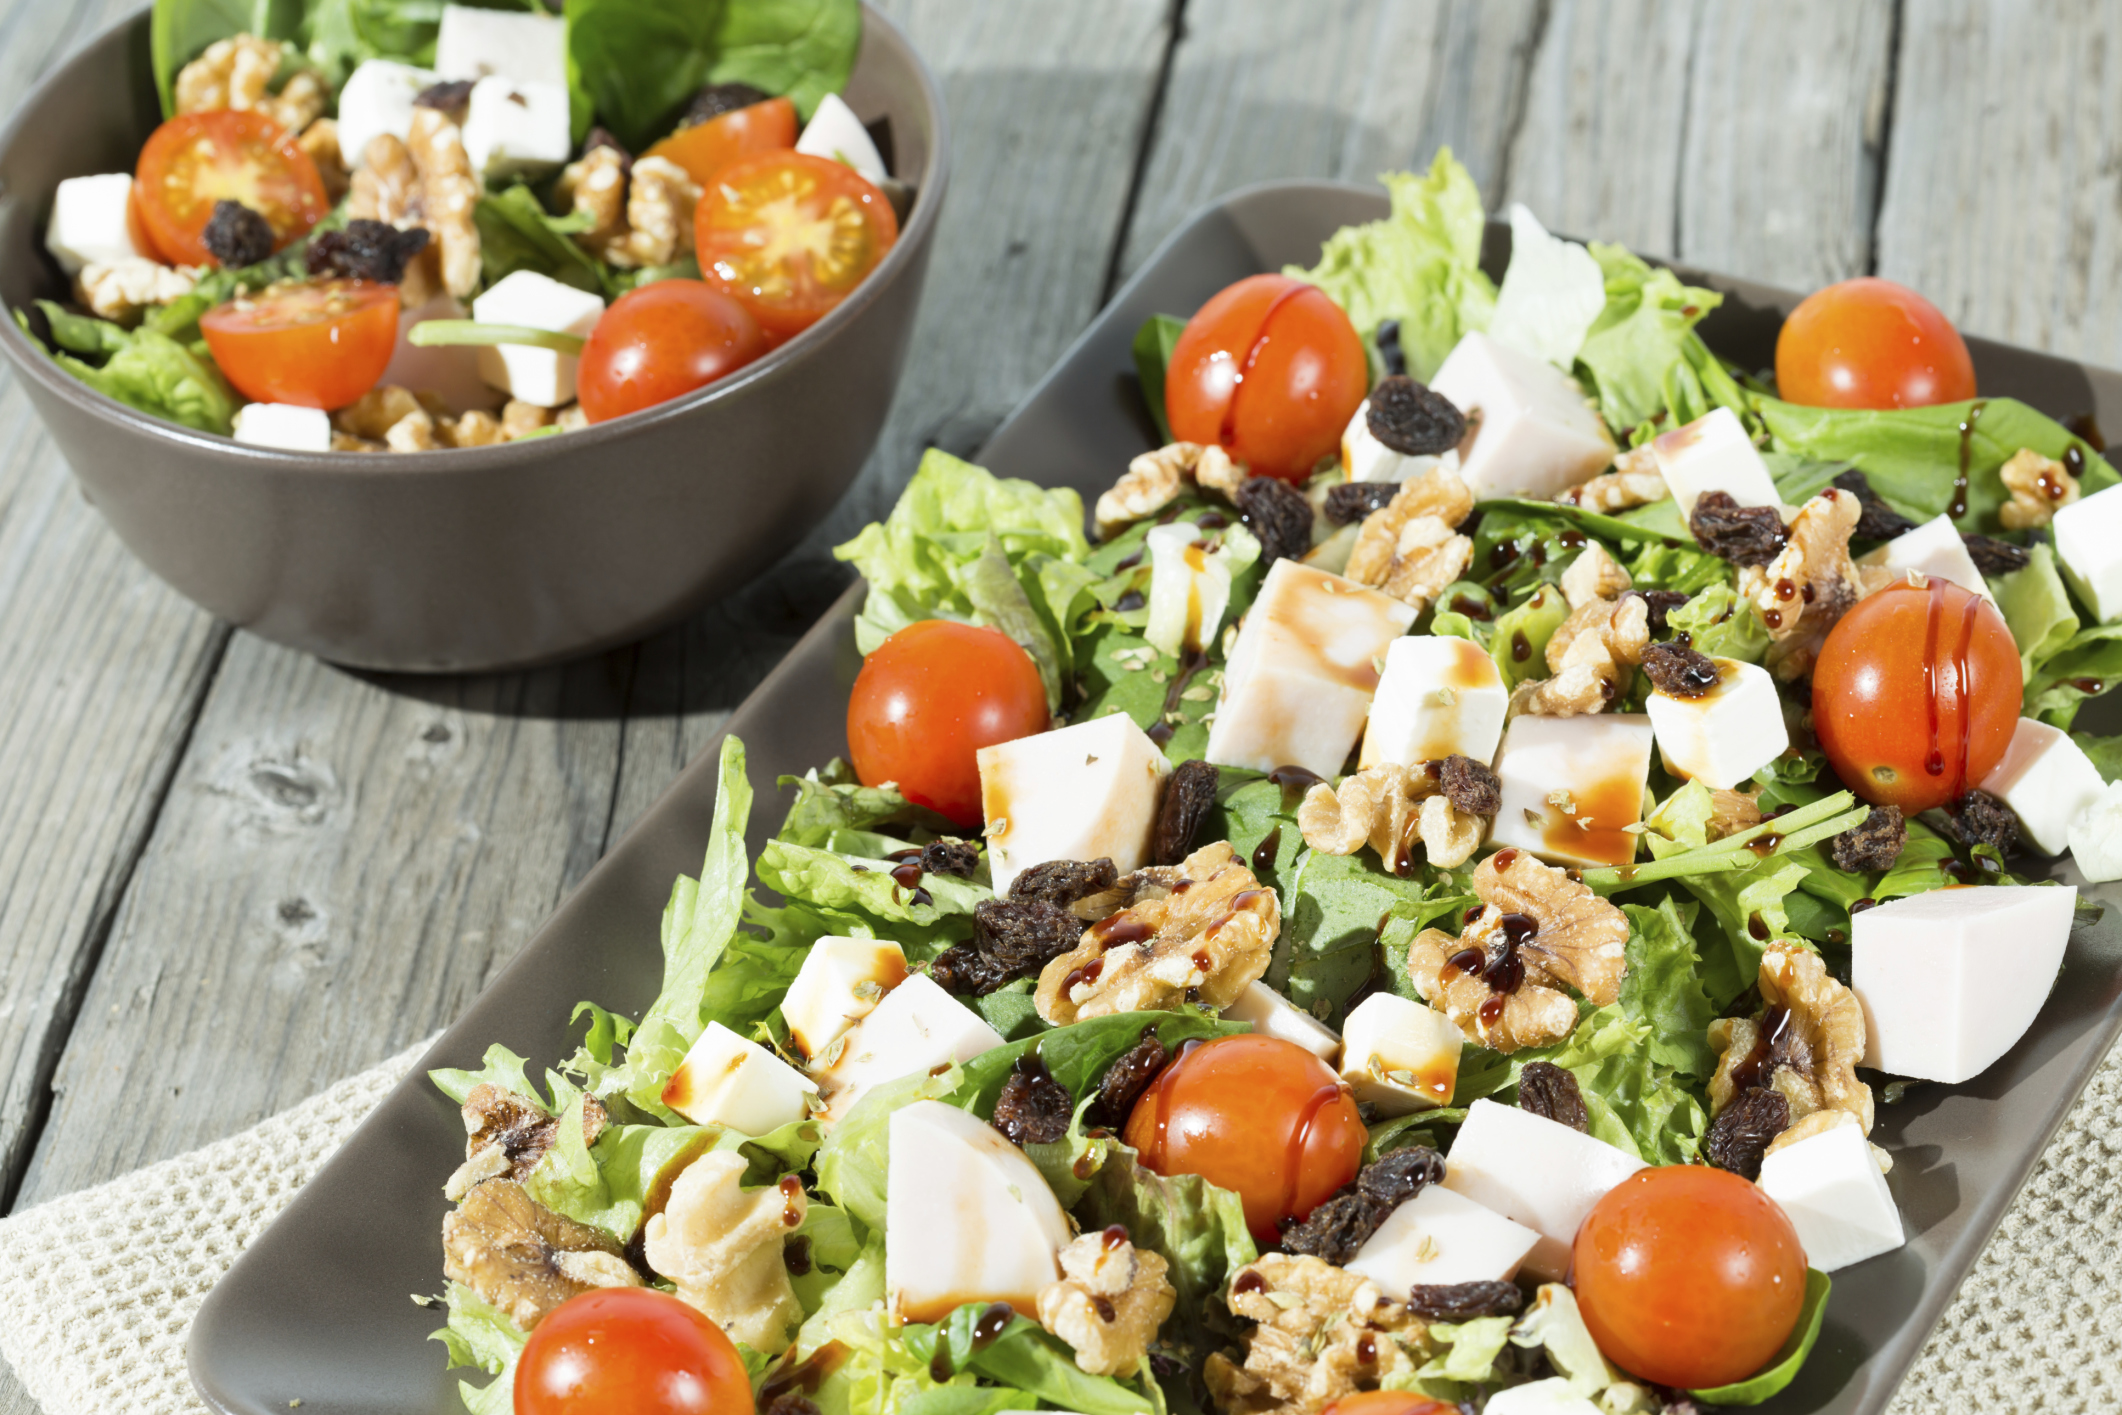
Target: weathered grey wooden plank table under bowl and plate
232, 875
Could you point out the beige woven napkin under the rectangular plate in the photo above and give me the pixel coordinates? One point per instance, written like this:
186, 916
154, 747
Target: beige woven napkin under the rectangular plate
99, 1289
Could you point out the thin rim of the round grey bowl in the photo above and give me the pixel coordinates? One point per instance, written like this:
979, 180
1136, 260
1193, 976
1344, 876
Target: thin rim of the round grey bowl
35, 360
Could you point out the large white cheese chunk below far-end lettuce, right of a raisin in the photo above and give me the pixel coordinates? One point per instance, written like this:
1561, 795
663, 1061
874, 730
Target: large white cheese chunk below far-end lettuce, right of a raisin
1533, 432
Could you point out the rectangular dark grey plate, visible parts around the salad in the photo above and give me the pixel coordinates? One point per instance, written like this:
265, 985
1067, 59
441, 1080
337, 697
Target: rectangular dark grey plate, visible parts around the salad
317, 1312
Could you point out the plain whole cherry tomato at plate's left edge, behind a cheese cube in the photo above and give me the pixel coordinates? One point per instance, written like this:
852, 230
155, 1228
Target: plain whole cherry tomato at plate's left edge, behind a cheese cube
930, 699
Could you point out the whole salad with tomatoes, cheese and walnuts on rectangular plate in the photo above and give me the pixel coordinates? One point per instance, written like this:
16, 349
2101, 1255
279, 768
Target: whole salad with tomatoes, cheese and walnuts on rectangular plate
1414, 905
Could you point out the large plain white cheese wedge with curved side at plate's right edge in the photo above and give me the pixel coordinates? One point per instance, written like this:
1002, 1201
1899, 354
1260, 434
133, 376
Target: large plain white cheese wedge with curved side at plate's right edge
1951, 979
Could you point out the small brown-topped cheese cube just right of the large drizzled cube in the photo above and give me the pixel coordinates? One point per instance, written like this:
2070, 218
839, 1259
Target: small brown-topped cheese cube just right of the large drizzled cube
1440, 699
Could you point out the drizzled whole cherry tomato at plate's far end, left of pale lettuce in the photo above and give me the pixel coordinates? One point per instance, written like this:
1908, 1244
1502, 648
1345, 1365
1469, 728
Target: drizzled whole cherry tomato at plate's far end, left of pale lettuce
1270, 370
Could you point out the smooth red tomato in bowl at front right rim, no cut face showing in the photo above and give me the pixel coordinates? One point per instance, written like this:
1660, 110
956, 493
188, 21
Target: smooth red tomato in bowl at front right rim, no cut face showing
659, 343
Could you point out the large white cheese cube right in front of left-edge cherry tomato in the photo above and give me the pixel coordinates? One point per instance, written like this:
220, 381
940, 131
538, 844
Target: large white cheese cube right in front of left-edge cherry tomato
1081, 792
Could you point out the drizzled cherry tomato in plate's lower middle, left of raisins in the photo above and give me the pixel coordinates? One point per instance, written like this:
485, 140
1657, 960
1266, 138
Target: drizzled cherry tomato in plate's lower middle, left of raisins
1259, 1117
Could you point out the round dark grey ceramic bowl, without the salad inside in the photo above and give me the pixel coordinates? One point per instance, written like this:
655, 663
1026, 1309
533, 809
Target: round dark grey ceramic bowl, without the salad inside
487, 557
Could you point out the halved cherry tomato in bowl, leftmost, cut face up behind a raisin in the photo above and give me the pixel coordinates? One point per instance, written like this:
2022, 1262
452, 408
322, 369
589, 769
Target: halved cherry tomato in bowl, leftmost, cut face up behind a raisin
203, 158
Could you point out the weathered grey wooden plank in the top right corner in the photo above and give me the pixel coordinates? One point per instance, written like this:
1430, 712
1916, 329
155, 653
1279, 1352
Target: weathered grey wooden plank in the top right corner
2004, 171
